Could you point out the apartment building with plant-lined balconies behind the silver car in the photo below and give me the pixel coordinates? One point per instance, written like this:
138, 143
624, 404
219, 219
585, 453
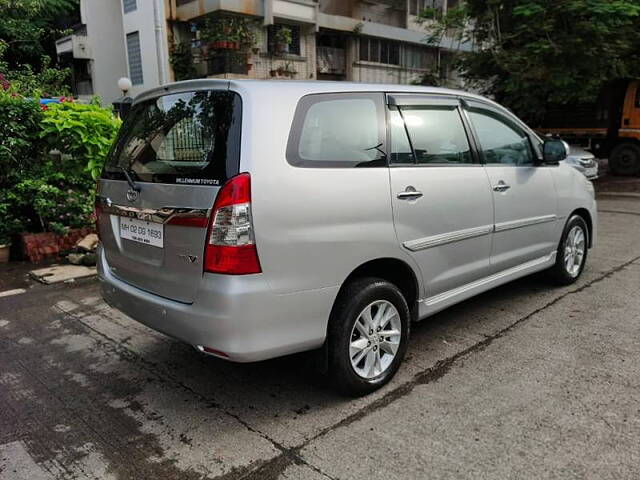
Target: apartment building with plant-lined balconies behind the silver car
158, 41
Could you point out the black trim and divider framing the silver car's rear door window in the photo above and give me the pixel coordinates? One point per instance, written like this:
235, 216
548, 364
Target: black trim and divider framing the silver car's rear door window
395, 100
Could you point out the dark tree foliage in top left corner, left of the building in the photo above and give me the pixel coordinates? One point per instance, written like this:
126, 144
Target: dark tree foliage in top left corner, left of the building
29, 29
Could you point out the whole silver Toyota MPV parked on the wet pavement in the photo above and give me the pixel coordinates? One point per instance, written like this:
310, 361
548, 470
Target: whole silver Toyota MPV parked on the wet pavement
253, 219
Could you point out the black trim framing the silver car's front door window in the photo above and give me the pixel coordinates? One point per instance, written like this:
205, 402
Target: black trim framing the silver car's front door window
469, 104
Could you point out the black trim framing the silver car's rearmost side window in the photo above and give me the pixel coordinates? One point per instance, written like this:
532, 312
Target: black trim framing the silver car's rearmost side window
303, 106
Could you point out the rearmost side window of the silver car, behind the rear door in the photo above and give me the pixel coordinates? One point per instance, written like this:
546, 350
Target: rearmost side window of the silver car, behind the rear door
338, 130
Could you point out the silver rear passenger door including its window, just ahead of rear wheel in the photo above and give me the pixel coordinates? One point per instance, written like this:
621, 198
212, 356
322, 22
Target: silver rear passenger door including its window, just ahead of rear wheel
442, 205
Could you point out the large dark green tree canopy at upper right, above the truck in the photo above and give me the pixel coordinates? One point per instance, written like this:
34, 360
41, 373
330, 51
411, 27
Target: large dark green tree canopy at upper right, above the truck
538, 52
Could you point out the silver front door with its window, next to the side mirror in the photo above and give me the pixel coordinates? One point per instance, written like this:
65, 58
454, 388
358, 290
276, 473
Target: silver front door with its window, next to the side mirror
524, 193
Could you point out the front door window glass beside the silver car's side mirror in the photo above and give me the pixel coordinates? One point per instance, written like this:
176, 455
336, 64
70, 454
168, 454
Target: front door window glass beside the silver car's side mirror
501, 142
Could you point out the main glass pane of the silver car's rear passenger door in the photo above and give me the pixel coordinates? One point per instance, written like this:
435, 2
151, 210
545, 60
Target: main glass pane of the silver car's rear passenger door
437, 135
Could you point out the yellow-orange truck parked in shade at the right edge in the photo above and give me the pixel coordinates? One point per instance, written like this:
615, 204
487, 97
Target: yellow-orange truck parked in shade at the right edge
610, 127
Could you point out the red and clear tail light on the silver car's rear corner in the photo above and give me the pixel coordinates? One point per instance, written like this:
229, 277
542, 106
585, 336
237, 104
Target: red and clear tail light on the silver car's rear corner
230, 246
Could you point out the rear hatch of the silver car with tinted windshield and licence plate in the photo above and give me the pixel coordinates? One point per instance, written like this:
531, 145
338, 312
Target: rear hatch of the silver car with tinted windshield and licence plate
159, 184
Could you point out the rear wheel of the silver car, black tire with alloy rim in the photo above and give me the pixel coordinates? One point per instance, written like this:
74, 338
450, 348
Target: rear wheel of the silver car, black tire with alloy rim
375, 358
